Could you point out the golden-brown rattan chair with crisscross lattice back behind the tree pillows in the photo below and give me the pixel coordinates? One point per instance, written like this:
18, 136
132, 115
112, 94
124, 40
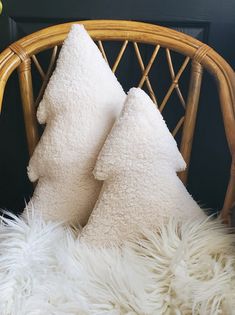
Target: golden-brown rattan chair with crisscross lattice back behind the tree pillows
20, 54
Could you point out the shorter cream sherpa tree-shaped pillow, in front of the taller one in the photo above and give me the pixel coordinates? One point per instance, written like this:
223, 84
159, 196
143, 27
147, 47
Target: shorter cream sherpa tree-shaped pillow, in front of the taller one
138, 164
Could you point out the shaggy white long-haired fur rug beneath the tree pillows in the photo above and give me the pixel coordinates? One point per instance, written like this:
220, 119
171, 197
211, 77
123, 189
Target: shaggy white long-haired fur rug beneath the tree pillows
186, 268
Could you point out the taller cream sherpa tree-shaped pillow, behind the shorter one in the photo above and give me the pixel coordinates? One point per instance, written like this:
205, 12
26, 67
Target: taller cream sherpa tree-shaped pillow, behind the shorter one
79, 107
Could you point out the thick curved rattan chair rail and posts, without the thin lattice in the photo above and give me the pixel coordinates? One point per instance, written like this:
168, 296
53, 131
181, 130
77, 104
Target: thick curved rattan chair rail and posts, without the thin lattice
18, 55
